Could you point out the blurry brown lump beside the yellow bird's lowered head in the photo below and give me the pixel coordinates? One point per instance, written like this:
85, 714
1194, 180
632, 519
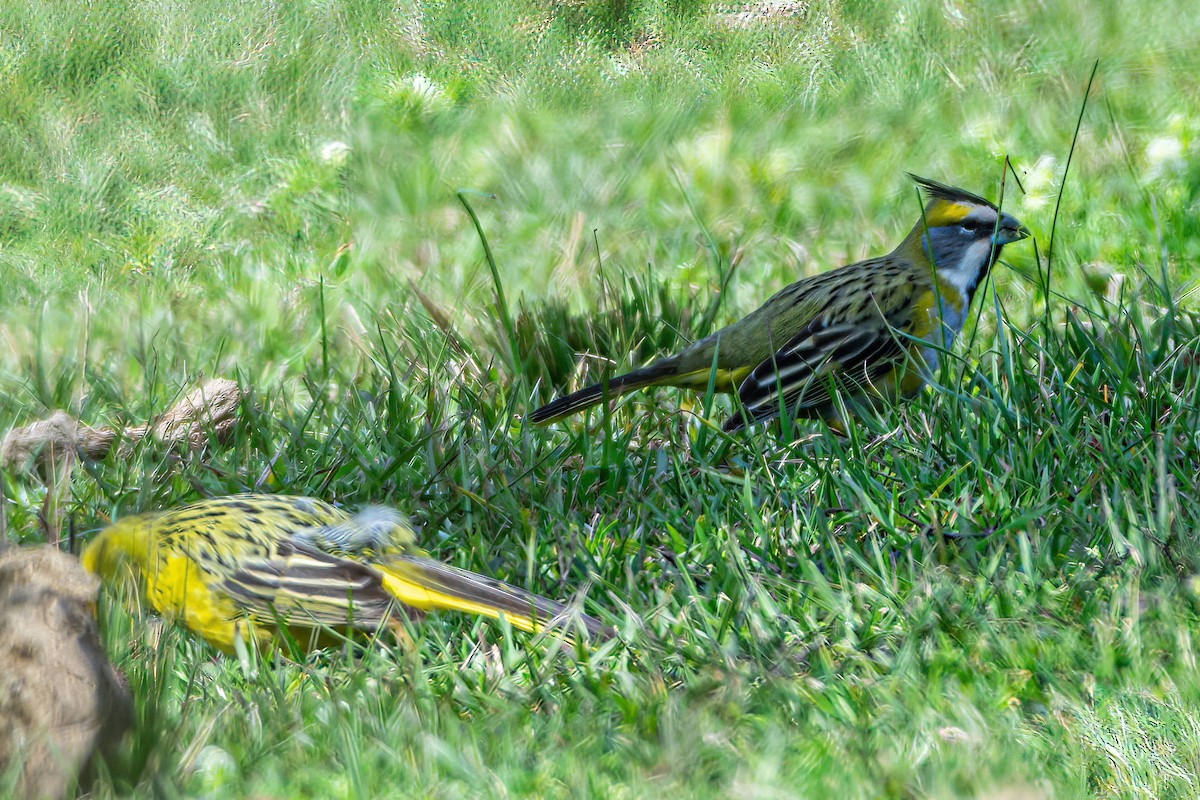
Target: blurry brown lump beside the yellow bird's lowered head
61, 700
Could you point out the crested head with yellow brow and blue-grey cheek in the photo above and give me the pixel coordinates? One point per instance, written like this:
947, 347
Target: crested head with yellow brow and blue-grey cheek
961, 234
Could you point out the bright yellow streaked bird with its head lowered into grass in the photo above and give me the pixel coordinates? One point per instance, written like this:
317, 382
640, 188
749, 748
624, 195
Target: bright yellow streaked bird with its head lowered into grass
242, 567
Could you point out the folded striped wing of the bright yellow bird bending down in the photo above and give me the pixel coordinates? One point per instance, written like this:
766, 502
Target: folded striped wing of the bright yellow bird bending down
307, 587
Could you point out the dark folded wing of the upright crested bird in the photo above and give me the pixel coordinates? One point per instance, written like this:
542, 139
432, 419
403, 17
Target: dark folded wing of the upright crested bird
802, 372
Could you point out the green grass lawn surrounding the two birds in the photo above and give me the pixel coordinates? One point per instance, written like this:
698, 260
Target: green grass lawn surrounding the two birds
993, 588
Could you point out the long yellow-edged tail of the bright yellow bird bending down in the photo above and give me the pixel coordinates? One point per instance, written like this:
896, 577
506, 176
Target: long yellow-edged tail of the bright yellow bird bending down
428, 585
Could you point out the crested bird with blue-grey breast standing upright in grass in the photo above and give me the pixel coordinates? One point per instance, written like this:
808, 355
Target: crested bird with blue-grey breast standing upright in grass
871, 328
